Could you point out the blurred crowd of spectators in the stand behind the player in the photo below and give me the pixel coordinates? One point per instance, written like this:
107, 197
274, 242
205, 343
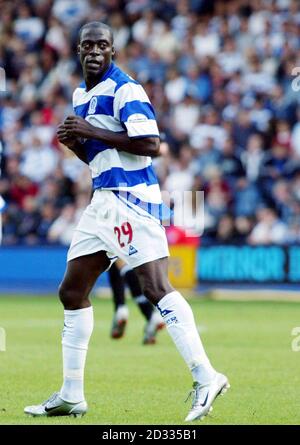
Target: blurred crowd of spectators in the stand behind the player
223, 79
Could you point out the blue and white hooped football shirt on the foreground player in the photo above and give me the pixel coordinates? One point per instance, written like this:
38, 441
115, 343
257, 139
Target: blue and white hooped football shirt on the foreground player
119, 103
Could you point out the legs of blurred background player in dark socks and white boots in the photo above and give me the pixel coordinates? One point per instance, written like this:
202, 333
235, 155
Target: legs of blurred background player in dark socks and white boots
121, 274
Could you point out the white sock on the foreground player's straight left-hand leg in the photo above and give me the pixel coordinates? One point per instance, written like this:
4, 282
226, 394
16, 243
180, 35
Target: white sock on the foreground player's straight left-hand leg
78, 327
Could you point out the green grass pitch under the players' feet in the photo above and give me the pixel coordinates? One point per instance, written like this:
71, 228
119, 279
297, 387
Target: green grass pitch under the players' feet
128, 383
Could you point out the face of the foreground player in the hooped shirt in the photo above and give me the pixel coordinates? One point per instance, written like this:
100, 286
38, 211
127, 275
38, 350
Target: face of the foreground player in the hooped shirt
95, 51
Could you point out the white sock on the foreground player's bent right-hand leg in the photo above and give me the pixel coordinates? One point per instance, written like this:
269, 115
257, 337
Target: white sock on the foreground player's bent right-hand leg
179, 319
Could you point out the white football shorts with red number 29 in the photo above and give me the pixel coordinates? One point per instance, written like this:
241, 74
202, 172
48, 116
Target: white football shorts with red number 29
121, 230
